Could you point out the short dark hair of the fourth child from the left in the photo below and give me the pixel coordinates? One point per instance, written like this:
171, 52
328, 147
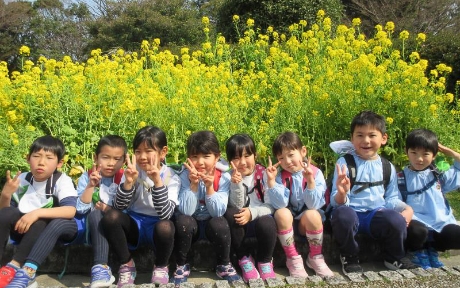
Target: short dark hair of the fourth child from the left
203, 142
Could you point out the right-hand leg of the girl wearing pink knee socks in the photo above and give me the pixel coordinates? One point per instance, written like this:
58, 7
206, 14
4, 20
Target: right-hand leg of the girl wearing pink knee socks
311, 225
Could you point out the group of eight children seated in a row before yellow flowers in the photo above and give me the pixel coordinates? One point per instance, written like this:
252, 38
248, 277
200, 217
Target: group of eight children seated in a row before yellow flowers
126, 201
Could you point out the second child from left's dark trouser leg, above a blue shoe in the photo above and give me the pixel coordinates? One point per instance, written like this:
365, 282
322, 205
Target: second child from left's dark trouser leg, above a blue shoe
98, 241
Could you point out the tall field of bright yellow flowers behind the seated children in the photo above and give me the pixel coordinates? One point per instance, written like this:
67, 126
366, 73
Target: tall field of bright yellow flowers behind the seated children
311, 81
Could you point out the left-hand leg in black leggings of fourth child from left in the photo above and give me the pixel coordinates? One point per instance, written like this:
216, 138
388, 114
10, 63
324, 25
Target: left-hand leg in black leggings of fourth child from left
186, 228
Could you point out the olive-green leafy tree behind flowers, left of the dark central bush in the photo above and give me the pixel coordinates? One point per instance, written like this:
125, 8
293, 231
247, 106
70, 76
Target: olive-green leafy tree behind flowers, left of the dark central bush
126, 23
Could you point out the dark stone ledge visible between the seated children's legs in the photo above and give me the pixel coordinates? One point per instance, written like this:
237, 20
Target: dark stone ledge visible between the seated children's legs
201, 256
